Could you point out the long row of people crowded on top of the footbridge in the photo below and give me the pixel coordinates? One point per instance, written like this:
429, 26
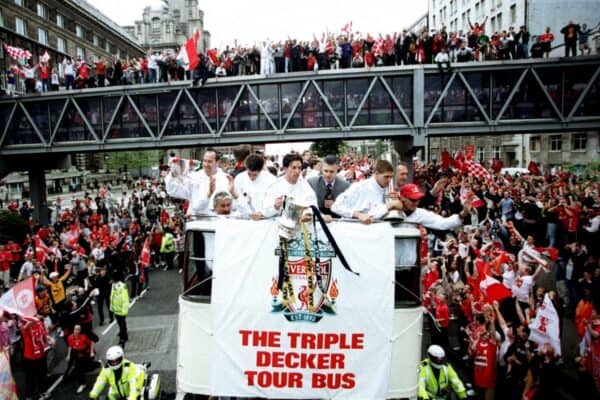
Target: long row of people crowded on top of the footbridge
327, 51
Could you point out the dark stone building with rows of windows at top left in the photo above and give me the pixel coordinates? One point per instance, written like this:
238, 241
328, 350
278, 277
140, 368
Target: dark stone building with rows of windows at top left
63, 28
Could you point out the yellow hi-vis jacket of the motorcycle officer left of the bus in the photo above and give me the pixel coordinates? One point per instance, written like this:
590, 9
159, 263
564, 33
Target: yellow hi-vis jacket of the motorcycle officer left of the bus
129, 386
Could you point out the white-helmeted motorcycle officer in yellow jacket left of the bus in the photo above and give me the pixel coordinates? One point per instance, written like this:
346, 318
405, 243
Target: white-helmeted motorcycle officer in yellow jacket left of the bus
125, 379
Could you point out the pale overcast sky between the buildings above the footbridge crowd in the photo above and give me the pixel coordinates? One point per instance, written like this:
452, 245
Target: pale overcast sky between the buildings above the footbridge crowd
250, 21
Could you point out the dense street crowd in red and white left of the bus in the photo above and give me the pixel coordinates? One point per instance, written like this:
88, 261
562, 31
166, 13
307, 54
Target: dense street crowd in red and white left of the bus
98, 249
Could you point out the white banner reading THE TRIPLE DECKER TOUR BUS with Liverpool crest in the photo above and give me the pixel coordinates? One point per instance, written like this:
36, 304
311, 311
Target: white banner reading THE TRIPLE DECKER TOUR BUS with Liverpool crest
333, 344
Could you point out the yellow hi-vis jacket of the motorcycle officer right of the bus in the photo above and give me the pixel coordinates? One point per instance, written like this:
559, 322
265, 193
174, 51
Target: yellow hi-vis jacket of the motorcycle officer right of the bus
430, 388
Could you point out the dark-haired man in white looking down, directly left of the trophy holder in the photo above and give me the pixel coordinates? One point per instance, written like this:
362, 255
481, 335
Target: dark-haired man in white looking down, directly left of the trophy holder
252, 184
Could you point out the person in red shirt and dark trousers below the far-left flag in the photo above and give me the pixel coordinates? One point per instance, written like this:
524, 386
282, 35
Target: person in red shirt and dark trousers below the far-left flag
35, 345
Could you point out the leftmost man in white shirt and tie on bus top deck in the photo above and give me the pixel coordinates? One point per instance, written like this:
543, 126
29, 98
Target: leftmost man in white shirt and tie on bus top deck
200, 185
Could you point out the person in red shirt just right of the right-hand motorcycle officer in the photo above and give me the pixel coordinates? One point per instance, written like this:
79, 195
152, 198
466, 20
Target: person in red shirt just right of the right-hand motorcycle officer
484, 353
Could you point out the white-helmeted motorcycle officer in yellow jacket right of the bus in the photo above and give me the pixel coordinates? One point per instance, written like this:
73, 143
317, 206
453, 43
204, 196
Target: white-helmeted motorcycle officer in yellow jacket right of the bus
437, 378
